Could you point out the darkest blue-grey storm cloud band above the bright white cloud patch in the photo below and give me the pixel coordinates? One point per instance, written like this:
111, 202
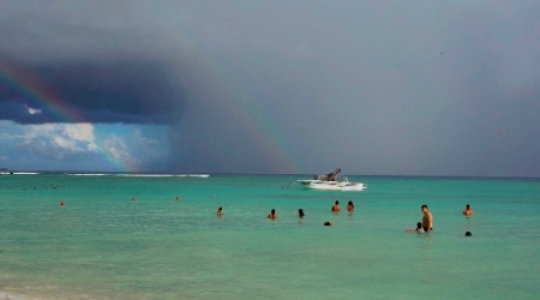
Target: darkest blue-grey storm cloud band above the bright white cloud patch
99, 92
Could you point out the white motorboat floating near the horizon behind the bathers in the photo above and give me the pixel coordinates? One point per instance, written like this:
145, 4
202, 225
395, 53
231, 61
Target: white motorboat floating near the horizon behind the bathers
331, 182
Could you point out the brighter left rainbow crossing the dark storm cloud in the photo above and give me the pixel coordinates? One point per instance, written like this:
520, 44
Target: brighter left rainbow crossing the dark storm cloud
41, 96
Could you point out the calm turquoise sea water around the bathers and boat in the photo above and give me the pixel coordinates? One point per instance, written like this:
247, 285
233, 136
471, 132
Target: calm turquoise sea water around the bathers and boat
158, 237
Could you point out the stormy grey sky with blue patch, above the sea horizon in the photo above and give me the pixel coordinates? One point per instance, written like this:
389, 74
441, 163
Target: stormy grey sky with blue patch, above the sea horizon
431, 88
